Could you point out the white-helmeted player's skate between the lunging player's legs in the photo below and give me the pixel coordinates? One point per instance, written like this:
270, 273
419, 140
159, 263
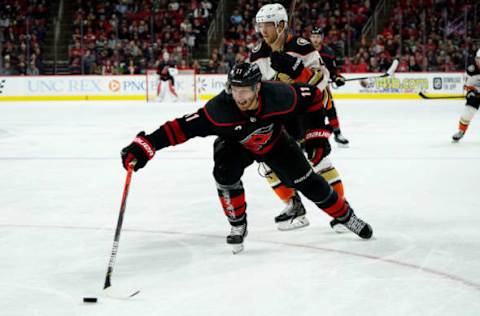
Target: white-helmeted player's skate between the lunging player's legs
292, 216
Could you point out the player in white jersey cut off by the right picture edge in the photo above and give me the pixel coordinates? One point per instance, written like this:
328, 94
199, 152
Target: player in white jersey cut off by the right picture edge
472, 85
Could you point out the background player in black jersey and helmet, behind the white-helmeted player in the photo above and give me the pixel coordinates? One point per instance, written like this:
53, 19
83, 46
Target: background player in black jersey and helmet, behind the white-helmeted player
328, 57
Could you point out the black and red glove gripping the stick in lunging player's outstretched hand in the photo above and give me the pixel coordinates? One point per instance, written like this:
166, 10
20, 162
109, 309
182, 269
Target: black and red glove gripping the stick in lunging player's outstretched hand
139, 151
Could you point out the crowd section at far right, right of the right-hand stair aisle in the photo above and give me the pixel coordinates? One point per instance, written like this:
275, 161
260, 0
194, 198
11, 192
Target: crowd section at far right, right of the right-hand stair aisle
425, 35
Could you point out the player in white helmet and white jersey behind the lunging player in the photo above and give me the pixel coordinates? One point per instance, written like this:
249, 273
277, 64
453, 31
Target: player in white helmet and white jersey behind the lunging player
288, 58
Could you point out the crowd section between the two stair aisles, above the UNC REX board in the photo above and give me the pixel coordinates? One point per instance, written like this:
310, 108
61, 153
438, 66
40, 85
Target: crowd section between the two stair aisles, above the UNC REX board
130, 36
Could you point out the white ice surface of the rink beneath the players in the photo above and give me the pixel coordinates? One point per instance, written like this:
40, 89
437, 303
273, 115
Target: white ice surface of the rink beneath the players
61, 183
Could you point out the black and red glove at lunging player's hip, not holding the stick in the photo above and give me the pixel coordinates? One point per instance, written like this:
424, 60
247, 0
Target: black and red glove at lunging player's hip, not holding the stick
317, 145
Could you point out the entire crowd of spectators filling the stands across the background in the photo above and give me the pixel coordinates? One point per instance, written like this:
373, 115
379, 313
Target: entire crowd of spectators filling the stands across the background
131, 36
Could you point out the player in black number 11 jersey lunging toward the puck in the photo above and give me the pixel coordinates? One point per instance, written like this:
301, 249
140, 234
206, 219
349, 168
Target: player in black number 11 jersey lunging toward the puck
249, 116
